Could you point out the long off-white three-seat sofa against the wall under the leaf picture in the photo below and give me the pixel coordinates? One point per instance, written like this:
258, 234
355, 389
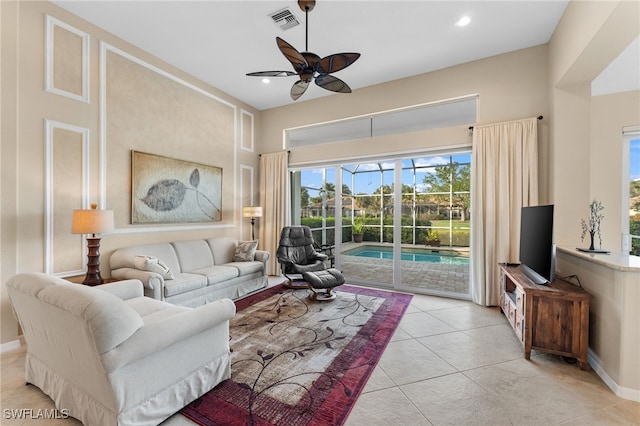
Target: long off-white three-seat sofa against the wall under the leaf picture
202, 270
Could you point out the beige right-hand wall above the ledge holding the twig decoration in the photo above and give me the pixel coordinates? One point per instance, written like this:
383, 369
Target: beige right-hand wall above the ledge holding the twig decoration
584, 131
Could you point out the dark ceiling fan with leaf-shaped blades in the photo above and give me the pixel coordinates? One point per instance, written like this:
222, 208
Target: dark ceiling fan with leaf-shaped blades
309, 66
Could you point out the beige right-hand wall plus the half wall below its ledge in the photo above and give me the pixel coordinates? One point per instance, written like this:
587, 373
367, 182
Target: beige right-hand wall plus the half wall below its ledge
586, 147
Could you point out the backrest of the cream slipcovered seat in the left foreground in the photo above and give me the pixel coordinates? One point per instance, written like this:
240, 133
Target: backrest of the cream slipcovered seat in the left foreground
68, 327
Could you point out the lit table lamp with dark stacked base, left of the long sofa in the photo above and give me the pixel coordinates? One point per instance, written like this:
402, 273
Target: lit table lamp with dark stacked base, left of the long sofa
92, 222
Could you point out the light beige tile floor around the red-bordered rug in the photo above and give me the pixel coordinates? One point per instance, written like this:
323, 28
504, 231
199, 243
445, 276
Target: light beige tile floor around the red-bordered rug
450, 362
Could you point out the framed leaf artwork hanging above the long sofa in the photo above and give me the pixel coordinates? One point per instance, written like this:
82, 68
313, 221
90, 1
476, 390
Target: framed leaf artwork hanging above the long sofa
167, 190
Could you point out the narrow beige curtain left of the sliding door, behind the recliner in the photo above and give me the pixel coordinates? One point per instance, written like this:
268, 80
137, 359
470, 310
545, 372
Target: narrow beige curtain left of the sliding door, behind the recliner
274, 199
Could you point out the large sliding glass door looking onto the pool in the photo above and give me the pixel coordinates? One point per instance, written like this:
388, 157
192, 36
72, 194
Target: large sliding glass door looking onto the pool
401, 223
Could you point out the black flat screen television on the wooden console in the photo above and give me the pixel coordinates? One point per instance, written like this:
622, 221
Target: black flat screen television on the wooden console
537, 251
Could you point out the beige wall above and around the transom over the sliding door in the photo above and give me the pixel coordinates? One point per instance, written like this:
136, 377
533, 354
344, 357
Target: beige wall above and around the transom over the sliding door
509, 86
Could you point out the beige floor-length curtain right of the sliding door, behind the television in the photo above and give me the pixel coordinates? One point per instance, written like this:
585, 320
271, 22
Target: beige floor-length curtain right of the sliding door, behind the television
504, 179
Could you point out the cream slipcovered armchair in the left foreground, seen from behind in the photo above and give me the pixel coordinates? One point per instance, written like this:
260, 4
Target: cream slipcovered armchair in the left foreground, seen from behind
106, 355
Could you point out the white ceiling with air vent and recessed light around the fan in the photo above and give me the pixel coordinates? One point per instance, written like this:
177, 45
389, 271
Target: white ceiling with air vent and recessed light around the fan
220, 41
